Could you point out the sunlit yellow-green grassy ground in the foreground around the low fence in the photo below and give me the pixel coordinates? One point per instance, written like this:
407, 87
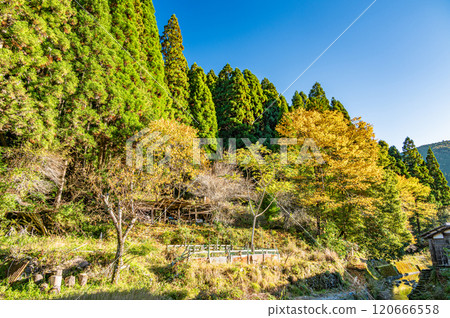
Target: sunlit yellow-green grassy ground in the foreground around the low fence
306, 271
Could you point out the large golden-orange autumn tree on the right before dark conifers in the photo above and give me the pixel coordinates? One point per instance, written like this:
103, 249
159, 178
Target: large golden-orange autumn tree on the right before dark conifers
350, 169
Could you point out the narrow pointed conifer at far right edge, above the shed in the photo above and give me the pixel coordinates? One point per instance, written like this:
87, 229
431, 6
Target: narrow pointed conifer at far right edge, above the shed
439, 186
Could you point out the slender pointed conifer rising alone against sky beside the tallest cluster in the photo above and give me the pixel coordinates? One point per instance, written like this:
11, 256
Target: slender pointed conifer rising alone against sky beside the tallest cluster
176, 69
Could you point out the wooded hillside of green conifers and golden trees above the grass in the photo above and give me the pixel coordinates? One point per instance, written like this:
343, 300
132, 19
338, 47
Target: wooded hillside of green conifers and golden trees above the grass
78, 79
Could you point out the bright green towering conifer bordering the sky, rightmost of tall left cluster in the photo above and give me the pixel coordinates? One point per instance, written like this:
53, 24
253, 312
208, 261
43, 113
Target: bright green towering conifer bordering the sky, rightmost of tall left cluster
140, 70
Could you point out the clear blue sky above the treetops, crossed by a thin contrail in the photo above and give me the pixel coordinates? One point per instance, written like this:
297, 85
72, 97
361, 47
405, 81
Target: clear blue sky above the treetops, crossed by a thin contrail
392, 67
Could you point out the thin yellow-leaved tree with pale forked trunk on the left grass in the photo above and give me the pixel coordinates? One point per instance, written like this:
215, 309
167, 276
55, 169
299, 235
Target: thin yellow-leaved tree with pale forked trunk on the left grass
160, 161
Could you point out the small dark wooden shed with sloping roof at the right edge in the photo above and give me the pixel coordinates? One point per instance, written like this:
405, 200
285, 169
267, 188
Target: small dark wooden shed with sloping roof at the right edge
439, 239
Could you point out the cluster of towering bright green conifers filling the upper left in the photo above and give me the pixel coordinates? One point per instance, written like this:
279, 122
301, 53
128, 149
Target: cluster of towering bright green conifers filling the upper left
65, 80
